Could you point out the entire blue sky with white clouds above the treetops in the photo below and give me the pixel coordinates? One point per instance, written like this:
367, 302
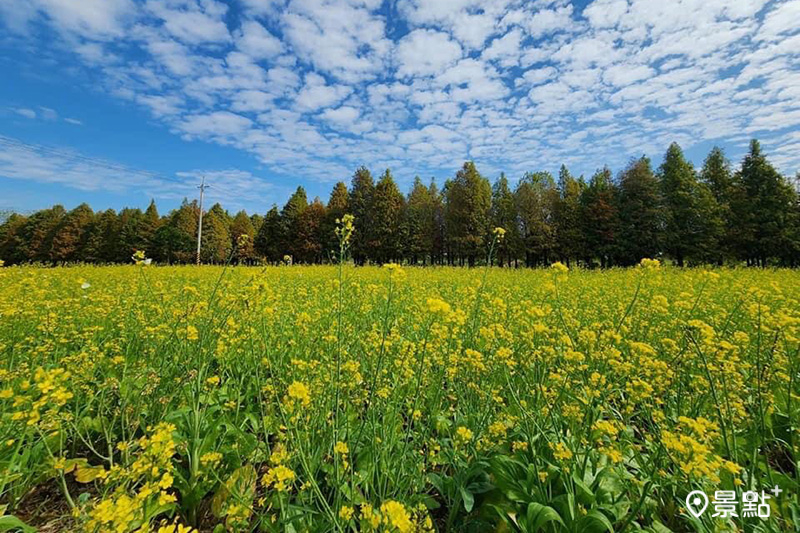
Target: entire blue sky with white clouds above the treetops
115, 102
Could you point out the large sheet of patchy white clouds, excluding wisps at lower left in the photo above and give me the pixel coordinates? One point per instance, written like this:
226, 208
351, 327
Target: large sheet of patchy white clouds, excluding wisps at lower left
313, 88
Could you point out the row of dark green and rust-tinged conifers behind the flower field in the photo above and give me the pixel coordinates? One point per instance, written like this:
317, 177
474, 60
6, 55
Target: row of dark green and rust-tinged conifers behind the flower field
711, 216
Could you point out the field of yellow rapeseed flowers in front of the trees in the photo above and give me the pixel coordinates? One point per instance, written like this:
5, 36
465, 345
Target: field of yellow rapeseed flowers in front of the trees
292, 399
